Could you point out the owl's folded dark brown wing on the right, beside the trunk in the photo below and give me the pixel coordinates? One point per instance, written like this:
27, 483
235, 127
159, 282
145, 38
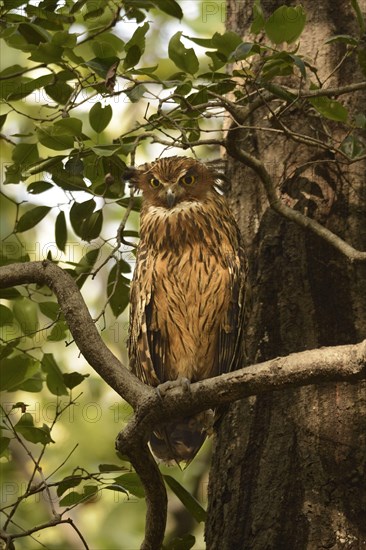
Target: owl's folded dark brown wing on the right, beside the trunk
230, 338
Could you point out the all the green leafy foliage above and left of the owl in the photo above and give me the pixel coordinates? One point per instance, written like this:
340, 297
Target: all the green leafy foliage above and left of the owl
73, 66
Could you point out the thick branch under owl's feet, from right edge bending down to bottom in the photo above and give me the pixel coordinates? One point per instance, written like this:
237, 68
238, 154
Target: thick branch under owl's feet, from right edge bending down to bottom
343, 363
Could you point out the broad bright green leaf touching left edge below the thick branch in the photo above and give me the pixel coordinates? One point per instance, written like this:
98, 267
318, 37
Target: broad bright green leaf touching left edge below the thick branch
15, 370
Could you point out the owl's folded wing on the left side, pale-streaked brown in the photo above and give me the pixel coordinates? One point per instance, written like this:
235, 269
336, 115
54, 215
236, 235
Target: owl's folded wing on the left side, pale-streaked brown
140, 341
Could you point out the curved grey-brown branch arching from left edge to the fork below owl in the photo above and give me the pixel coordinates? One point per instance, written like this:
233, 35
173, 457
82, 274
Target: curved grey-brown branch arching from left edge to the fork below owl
80, 323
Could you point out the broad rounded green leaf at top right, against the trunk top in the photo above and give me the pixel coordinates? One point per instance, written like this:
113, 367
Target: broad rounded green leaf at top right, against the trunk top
285, 24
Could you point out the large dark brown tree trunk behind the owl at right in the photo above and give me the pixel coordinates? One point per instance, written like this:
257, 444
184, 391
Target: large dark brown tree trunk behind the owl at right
289, 468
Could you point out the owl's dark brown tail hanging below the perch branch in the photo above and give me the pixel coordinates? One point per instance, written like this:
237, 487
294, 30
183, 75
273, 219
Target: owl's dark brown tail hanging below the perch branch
181, 440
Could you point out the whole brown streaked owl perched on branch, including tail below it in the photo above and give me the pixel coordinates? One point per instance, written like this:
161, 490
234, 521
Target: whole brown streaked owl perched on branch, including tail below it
187, 293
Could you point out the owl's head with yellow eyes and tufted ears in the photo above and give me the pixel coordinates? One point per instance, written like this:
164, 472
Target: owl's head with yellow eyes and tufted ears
169, 181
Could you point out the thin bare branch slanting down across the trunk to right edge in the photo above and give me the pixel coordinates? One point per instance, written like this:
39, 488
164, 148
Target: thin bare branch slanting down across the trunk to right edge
294, 215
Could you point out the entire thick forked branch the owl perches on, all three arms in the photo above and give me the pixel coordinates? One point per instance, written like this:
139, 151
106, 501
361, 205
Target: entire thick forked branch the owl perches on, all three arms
343, 363
